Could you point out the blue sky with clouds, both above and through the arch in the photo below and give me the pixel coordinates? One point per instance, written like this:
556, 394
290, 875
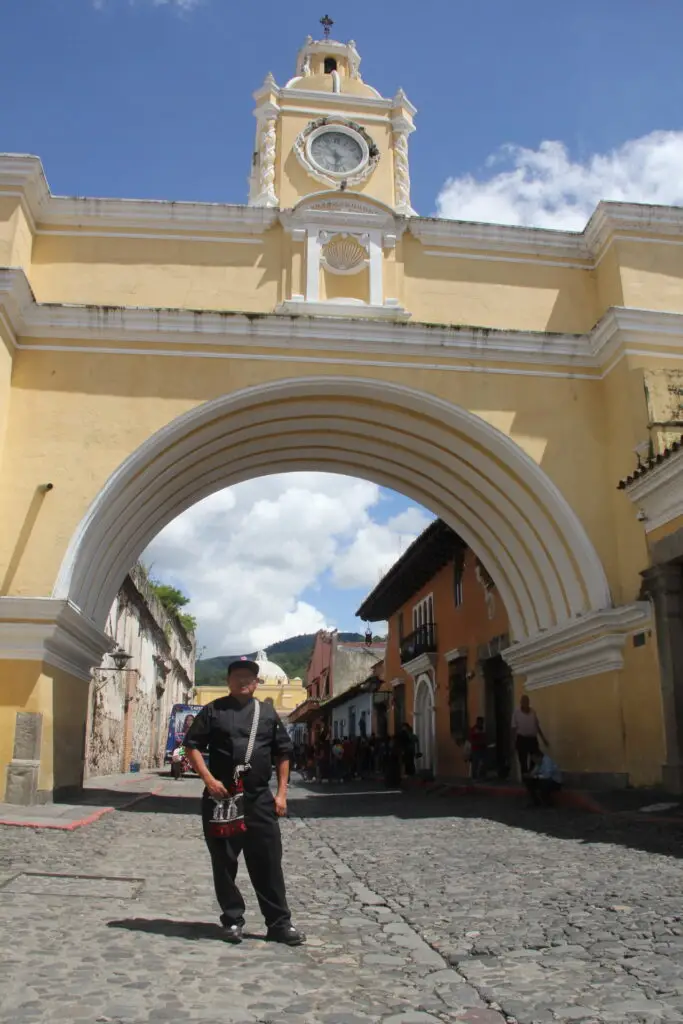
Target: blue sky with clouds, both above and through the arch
528, 113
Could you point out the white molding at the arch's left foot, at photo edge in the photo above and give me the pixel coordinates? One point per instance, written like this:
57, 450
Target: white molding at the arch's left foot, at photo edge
51, 631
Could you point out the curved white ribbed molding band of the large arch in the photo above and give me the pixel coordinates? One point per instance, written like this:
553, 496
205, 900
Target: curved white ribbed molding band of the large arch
453, 462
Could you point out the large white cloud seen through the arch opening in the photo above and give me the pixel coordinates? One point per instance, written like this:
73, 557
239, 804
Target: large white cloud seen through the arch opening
247, 554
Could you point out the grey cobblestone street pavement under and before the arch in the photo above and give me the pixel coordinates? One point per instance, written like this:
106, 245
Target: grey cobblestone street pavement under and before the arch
418, 911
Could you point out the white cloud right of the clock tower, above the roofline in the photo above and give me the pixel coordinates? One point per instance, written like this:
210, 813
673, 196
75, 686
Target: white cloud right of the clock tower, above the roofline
545, 188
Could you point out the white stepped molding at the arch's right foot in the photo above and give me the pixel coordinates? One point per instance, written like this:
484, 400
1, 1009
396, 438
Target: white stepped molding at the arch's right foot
588, 647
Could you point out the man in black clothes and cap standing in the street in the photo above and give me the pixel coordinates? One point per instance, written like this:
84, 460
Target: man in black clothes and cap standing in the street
226, 729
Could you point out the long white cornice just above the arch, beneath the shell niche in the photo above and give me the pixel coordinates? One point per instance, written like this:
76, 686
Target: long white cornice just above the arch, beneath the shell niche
326, 326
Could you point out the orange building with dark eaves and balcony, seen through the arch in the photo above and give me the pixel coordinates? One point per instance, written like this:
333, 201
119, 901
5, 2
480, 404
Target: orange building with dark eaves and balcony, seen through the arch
447, 627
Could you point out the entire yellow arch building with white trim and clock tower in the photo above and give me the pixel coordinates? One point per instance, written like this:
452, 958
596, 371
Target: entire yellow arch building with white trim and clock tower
154, 353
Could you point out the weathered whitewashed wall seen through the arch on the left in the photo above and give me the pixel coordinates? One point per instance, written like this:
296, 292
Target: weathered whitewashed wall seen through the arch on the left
131, 709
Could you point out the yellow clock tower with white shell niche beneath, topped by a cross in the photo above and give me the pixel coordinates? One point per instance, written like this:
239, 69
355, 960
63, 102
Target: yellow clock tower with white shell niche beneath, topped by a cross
331, 154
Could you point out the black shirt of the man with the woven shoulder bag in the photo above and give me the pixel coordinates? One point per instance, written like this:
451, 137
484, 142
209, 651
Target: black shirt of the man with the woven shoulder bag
224, 728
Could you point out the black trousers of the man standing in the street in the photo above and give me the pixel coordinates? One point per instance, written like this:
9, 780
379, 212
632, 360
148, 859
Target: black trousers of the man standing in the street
263, 847
